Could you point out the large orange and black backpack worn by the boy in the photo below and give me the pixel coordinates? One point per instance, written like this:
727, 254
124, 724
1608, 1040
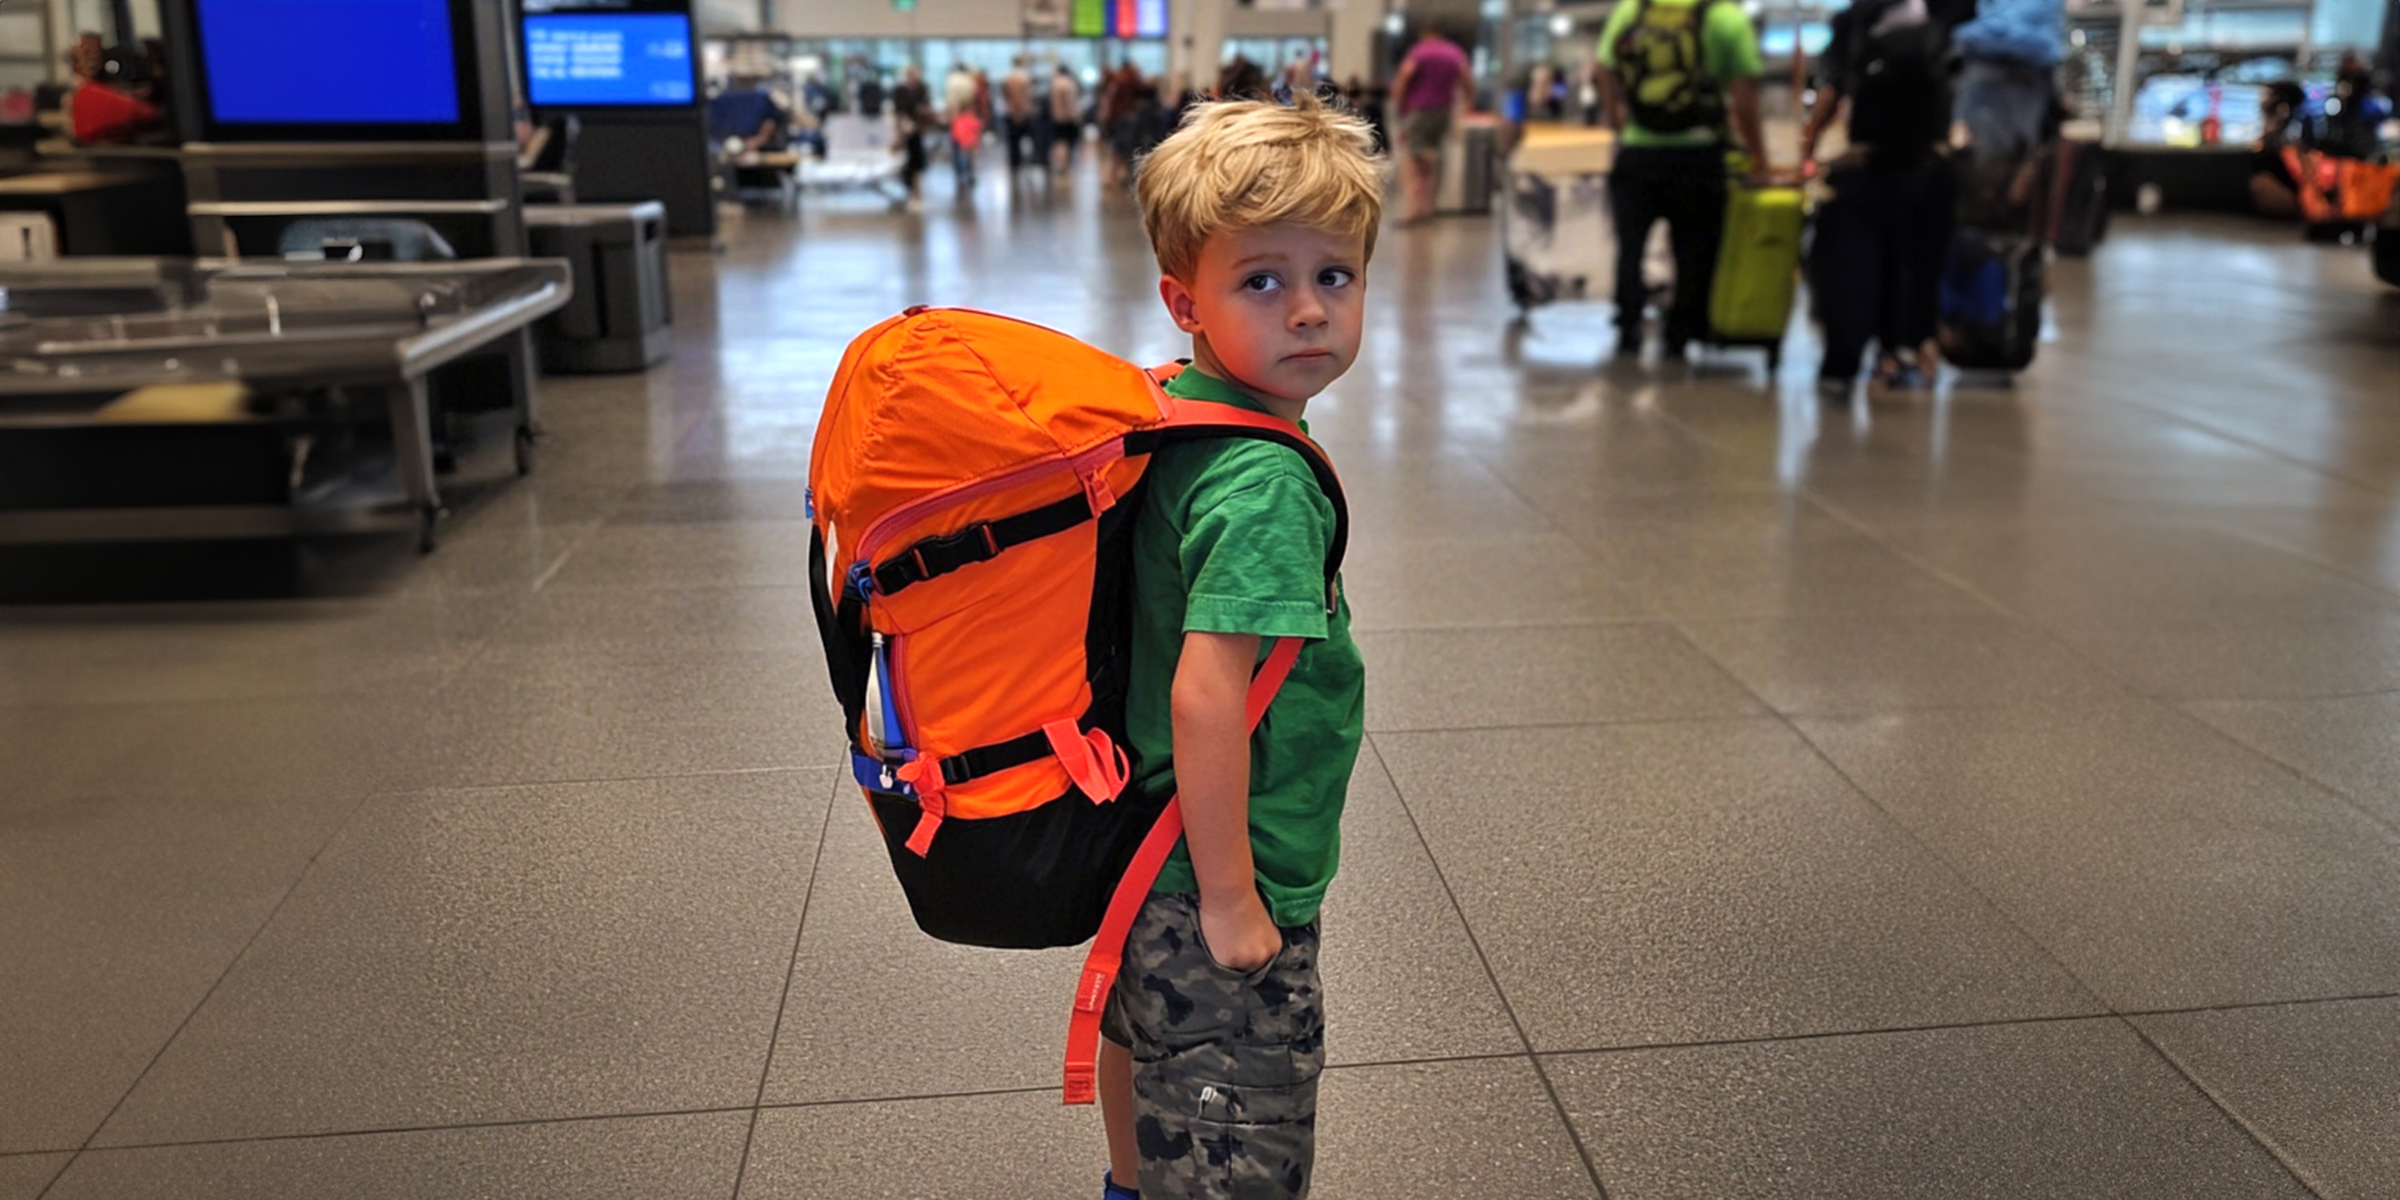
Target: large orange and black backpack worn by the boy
973, 493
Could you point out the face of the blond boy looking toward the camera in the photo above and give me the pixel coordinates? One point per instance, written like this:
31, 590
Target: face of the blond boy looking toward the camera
1276, 311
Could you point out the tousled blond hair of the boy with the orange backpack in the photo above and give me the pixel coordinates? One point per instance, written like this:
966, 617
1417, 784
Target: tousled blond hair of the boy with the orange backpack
1247, 164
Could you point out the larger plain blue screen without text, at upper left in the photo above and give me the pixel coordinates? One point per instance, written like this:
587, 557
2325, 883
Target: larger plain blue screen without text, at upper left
330, 64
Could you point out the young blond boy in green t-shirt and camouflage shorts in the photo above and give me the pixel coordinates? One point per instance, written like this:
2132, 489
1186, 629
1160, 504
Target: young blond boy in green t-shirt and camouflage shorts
1264, 222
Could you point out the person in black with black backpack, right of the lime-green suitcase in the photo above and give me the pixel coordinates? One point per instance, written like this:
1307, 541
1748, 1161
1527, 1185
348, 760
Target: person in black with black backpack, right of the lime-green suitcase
1885, 229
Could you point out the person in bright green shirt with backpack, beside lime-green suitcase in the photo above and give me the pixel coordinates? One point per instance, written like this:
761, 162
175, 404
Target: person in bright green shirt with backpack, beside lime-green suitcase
1679, 76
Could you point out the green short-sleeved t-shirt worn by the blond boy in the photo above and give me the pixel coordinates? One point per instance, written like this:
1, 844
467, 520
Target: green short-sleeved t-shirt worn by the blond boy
1232, 541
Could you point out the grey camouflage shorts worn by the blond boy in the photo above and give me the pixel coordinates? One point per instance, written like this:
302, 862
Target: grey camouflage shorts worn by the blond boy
1225, 1067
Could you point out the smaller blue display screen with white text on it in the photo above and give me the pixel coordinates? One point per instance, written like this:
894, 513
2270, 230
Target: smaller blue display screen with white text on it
608, 59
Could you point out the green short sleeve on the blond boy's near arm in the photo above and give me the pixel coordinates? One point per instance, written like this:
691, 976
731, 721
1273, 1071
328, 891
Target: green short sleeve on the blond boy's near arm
1254, 553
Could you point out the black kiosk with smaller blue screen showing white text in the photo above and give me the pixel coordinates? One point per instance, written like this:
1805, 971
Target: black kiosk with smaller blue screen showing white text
628, 71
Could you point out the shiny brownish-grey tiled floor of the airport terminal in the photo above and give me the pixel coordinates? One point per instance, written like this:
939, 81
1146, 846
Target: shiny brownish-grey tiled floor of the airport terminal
1974, 793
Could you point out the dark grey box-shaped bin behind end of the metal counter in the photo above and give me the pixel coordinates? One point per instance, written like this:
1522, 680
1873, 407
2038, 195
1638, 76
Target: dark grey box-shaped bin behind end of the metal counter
620, 313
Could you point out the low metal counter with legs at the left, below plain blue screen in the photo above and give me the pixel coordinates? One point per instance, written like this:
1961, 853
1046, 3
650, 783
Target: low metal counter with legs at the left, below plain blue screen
323, 349
